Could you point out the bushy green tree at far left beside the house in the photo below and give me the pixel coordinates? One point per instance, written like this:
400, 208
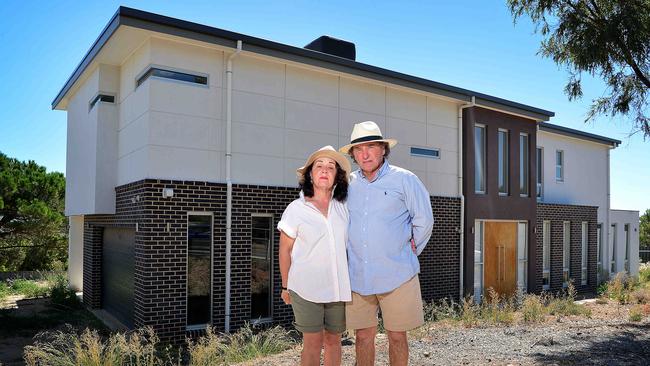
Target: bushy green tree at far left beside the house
32, 224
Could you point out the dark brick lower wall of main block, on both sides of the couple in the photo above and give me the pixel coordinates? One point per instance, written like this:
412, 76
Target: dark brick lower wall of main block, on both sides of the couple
161, 250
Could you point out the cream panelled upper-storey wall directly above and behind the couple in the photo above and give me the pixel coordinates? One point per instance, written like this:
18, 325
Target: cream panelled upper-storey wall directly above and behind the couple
281, 113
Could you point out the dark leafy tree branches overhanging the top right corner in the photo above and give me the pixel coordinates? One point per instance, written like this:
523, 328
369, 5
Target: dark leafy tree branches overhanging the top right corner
605, 38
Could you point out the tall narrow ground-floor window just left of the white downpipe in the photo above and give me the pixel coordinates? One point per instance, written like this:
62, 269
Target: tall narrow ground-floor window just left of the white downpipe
199, 270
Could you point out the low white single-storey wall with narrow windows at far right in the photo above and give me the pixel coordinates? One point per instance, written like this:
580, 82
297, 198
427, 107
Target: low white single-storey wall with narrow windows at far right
621, 218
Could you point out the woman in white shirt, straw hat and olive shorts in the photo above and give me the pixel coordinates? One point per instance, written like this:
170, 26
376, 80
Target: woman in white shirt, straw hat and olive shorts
313, 261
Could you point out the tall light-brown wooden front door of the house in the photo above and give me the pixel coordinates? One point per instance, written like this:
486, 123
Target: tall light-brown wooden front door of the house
500, 257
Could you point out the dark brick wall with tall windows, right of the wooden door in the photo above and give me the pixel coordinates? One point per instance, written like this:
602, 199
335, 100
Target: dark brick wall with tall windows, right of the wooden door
557, 214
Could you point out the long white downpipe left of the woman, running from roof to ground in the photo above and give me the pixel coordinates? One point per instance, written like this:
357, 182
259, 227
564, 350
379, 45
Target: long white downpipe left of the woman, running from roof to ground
229, 181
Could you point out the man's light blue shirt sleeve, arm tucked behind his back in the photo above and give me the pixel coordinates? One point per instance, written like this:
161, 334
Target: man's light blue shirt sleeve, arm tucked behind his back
418, 203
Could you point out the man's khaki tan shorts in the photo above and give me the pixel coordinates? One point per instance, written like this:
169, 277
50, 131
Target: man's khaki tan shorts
401, 309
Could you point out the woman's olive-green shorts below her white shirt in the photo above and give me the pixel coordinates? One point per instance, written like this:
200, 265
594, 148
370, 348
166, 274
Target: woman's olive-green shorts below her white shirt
312, 317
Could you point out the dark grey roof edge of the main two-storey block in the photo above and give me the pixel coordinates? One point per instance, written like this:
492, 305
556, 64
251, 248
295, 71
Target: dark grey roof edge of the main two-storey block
163, 24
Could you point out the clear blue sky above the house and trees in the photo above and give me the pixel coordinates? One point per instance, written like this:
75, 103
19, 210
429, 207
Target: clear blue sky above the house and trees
471, 44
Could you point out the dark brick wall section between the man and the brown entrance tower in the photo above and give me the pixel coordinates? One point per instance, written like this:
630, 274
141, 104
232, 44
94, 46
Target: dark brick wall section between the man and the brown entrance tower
440, 260
